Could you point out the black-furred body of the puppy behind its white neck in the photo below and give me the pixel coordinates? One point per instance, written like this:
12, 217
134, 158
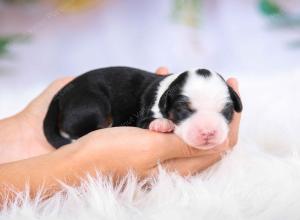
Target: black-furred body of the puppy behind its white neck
94, 99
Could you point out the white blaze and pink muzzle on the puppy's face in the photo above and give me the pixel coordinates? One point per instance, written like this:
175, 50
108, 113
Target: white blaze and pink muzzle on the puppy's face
207, 127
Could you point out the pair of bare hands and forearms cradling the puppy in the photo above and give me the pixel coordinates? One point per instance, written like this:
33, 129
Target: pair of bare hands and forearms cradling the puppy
26, 156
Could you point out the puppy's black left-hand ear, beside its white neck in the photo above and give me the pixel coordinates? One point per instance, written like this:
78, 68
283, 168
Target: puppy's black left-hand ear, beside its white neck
169, 96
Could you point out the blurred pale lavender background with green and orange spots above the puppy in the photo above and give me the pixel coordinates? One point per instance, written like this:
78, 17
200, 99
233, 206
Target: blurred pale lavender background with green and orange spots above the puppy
41, 40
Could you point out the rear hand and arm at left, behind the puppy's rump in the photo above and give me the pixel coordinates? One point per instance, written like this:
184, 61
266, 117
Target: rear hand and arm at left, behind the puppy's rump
23, 132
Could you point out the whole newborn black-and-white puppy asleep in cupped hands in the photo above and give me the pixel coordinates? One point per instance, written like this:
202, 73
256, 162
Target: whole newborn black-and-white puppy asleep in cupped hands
196, 105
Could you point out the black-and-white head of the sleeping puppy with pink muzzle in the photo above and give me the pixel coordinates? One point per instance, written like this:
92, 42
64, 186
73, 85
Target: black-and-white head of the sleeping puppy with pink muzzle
201, 105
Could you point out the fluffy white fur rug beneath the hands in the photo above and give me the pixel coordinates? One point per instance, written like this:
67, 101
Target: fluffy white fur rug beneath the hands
260, 179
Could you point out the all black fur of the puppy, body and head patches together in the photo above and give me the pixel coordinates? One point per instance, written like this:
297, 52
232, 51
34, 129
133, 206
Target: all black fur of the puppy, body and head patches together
118, 96
